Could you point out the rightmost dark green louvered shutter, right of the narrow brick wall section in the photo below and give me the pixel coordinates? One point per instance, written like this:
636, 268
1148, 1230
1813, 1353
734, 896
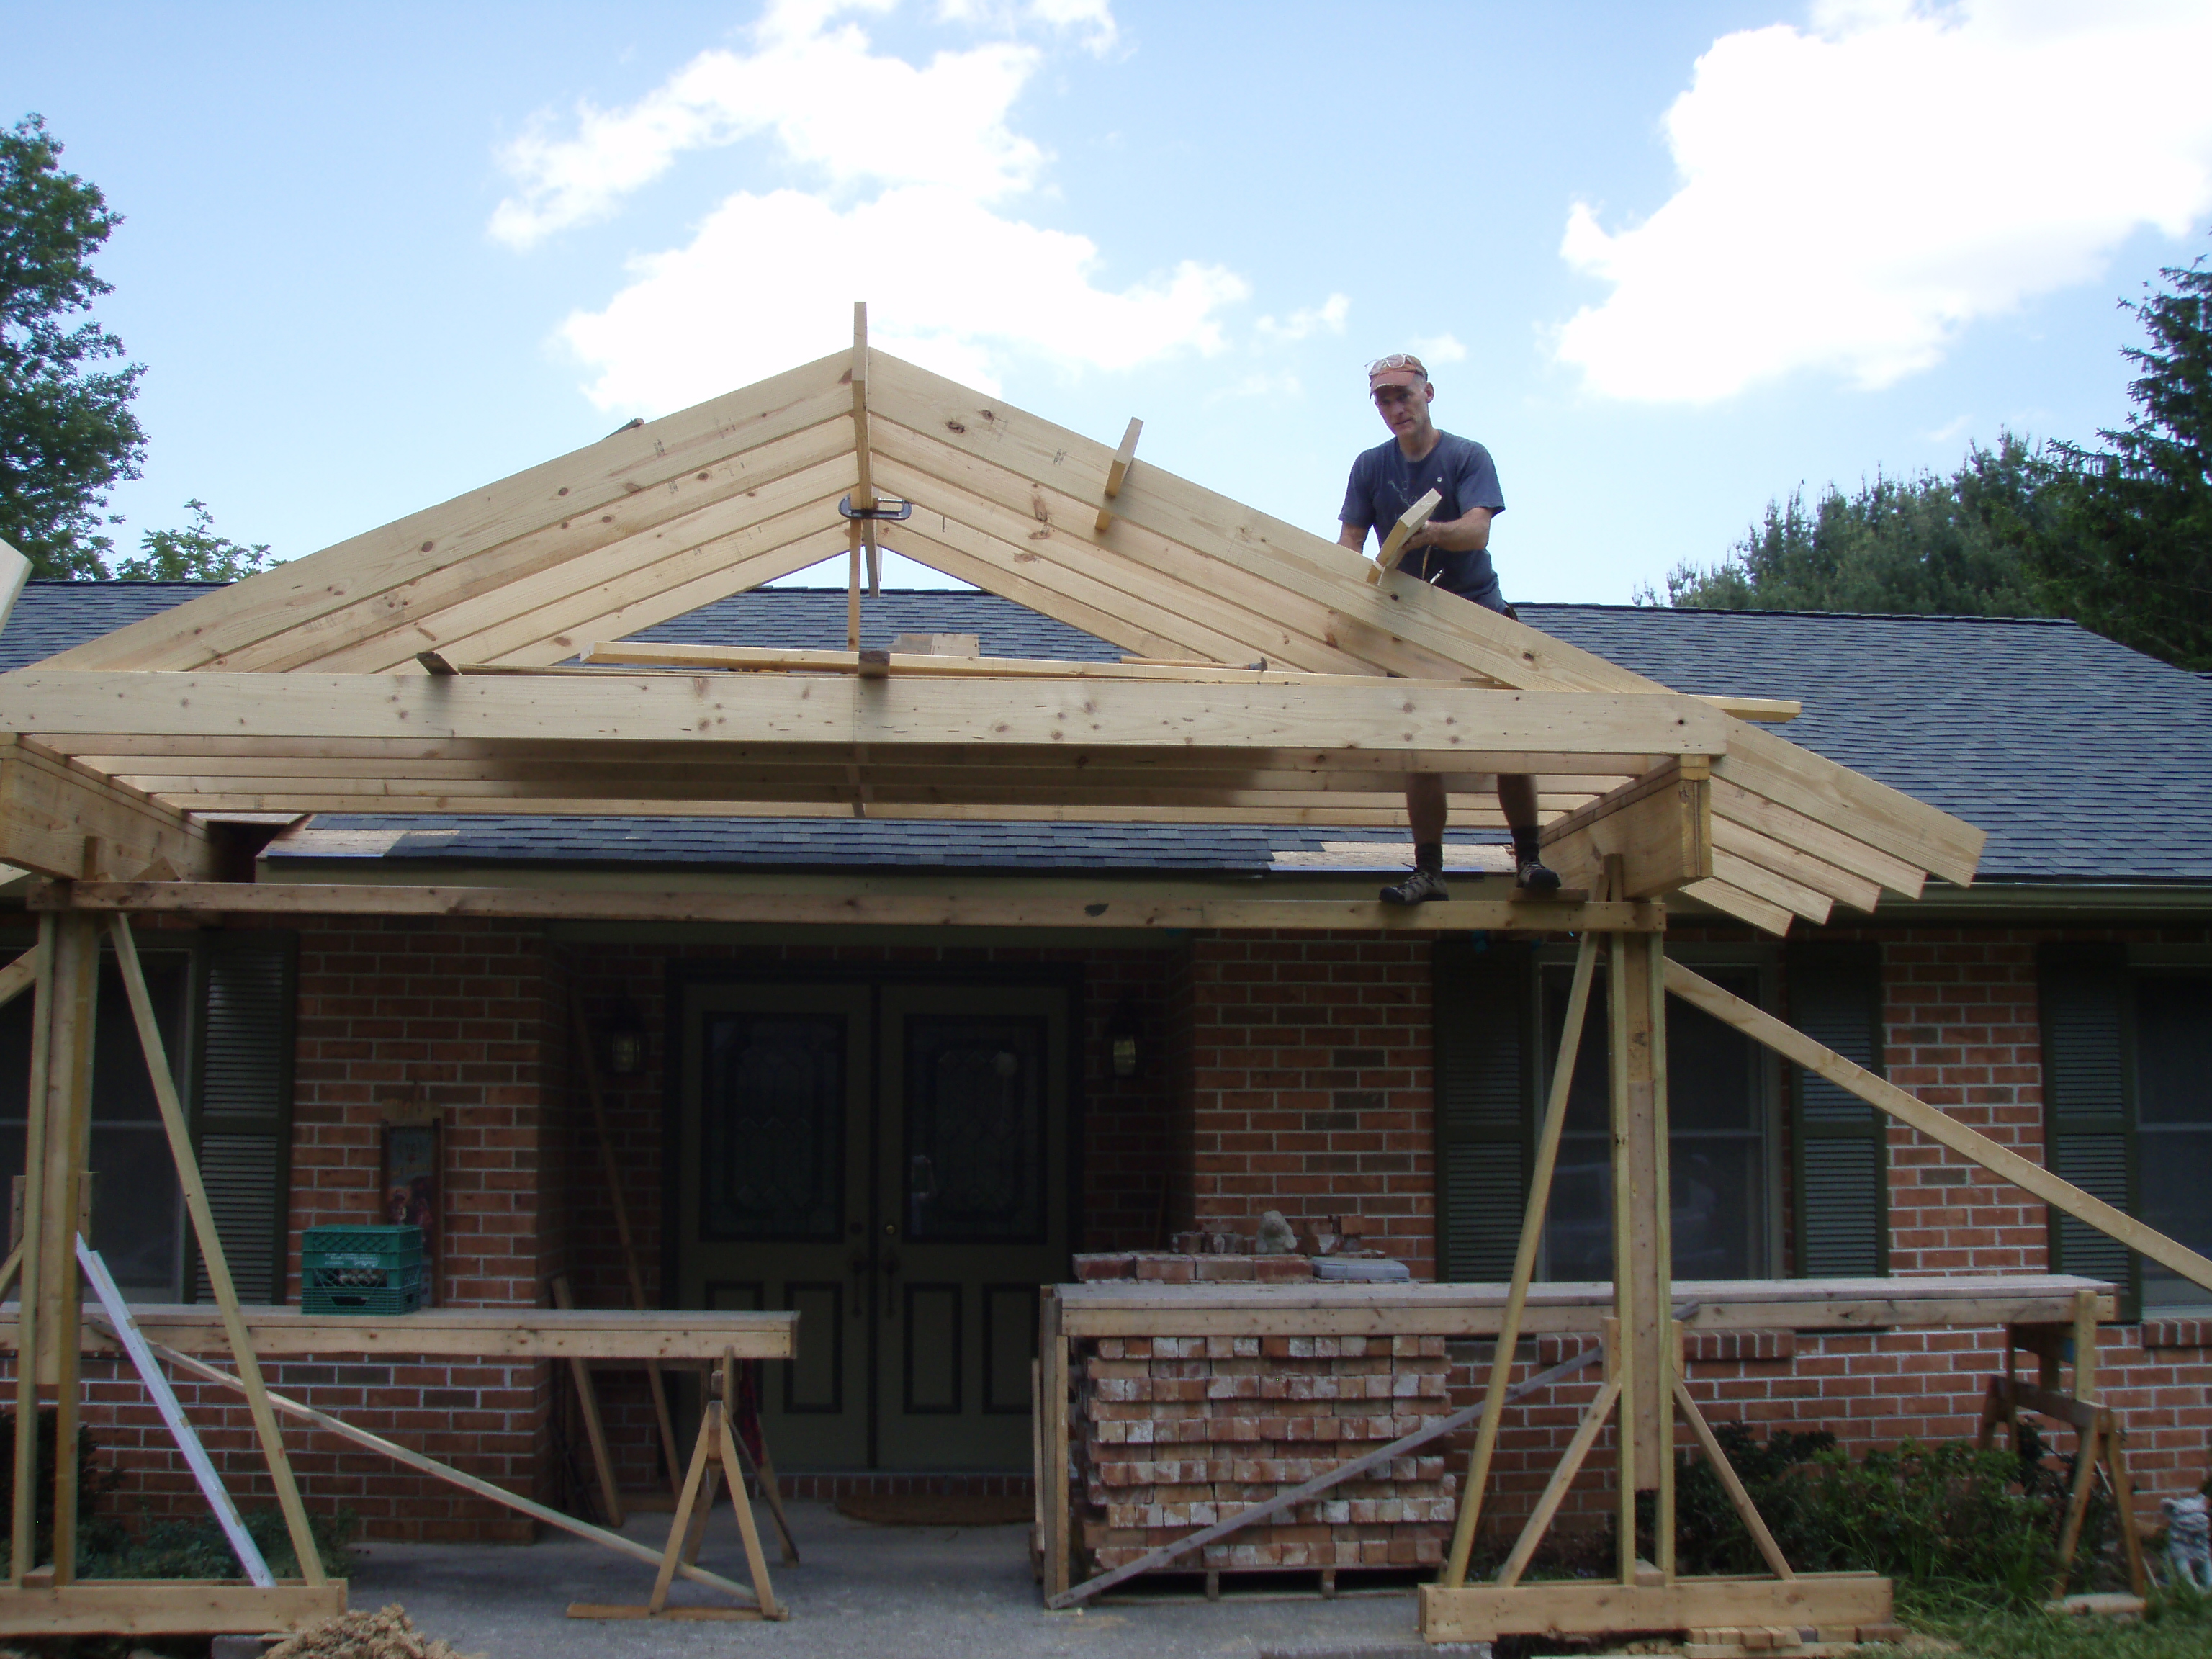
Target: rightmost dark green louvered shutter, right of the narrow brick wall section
2089, 1109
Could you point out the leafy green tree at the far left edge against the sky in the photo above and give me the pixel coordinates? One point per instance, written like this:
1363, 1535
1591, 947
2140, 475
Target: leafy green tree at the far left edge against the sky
65, 424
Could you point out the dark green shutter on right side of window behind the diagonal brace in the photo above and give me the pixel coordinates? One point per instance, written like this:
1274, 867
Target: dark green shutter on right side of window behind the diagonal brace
1839, 1145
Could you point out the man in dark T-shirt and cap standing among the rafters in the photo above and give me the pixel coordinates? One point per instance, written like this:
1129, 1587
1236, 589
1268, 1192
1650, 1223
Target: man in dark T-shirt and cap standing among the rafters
1452, 554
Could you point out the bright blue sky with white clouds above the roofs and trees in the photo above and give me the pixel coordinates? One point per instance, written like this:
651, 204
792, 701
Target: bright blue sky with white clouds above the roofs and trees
1665, 262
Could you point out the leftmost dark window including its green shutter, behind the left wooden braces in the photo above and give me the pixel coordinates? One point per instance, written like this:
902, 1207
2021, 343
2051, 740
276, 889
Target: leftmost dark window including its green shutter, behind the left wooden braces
225, 1008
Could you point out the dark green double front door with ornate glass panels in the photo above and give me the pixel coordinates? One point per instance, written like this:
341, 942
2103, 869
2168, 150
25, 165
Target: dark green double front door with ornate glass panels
890, 1162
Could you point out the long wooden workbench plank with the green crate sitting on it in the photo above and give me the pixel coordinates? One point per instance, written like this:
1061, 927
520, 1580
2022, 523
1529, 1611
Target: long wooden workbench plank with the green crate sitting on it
468, 1333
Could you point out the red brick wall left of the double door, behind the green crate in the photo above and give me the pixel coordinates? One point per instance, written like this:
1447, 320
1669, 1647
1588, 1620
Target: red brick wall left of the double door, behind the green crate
463, 1019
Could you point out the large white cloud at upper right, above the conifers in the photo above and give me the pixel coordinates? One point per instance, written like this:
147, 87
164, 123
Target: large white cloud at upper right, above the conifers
1857, 194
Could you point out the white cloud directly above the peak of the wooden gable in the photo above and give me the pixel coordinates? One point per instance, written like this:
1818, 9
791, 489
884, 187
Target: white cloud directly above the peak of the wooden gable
912, 220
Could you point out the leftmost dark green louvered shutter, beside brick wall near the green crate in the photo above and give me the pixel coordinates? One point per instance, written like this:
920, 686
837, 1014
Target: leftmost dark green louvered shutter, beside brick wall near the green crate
244, 1105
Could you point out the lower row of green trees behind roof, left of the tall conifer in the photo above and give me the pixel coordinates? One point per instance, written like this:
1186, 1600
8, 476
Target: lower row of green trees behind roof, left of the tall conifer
1919, 545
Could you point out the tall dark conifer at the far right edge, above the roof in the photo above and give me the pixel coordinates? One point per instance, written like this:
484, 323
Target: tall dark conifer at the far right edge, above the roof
2127, 545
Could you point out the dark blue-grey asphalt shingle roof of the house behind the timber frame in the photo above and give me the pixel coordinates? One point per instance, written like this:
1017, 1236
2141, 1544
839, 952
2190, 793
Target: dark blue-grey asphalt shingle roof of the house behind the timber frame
2083, 760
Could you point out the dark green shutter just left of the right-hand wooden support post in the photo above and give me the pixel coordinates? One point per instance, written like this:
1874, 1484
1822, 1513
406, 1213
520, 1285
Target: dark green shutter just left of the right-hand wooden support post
1481, 1107
